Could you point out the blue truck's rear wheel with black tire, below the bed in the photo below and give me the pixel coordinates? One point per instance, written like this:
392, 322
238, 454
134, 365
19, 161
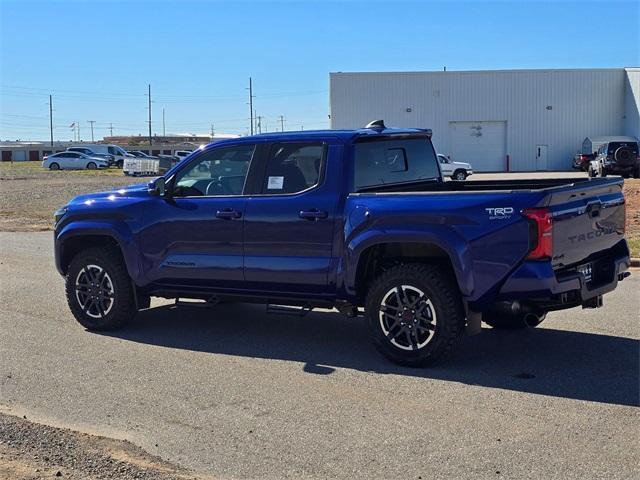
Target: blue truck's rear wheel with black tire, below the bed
444, 308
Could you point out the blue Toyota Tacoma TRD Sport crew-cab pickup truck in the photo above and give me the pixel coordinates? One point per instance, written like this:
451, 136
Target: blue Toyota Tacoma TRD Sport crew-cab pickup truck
359, 220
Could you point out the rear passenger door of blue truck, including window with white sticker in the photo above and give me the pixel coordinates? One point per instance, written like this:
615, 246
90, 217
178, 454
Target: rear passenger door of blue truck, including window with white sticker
289, 223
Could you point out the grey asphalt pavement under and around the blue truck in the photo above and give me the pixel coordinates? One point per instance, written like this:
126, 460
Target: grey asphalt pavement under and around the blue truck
235, 393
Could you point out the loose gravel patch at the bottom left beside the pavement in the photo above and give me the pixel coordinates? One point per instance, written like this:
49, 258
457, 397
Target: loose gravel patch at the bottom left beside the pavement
30, 451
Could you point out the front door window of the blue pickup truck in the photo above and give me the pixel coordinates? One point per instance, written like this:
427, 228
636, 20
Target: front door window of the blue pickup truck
219, 171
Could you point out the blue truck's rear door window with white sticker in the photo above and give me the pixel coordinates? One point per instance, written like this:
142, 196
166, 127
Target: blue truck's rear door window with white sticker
293, 167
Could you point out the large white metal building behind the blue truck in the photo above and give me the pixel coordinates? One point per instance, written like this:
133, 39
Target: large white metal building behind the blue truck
517, 120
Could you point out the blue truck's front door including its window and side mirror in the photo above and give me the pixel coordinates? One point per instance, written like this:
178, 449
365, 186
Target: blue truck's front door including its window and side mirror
194, 238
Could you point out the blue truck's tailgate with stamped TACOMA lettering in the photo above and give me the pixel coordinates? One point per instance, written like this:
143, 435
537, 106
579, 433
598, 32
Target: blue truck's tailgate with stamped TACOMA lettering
588, 217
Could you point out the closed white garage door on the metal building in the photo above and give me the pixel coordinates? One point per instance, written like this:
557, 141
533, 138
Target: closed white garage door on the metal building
482, 144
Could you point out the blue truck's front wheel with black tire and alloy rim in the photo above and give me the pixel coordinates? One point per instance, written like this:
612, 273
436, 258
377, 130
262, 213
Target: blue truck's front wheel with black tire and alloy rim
121, 302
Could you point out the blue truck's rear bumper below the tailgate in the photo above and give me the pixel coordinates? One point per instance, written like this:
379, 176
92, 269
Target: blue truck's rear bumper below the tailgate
539, 284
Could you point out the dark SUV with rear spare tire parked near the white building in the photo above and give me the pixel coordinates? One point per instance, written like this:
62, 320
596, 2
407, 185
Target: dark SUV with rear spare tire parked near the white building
619, 157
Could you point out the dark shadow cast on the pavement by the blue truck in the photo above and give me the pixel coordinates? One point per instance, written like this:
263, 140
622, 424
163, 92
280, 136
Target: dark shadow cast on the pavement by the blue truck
545, 361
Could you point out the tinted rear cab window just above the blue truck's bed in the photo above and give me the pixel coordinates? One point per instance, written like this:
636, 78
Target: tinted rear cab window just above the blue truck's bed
393, 161
